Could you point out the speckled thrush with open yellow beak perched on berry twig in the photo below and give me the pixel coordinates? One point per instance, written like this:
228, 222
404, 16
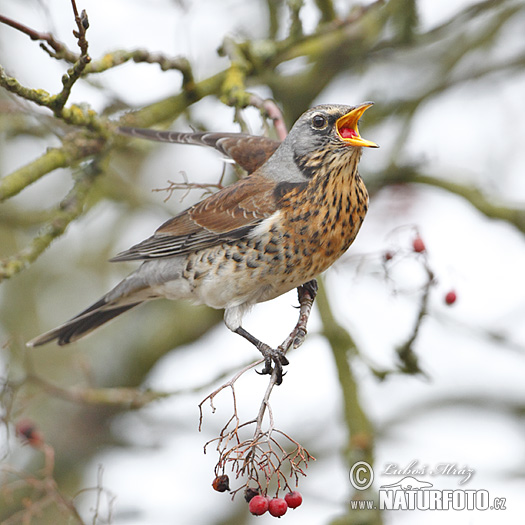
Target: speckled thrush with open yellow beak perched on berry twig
293, 216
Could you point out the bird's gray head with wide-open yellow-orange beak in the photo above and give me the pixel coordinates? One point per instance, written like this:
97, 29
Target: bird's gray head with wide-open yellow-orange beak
320, 134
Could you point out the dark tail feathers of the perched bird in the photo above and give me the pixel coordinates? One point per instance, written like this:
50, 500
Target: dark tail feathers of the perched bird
96, 315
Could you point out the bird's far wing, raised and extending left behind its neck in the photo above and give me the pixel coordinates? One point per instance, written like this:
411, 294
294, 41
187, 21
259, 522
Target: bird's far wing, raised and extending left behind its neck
248, 151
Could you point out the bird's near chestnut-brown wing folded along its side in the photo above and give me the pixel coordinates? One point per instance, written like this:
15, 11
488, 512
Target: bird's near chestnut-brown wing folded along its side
225, 216
